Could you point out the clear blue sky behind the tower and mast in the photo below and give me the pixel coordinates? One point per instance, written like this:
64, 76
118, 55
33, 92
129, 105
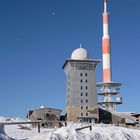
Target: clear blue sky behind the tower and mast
37, 36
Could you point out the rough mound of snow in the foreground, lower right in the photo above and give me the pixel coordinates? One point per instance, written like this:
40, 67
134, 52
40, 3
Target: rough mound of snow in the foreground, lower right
98, 133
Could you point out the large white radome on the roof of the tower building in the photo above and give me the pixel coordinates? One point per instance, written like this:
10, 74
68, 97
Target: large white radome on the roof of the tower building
80, 54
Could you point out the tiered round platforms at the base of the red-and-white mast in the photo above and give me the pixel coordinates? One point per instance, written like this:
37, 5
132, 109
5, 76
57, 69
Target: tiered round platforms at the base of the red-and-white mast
109, 95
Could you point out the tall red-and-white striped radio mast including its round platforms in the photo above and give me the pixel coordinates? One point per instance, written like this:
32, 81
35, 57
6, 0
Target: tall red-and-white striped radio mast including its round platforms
108, 90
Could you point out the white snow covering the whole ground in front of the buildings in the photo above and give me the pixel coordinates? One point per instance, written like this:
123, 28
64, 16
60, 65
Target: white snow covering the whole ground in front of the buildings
99, 132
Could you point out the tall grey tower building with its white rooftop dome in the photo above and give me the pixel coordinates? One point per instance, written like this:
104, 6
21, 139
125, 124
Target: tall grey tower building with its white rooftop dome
81, 97
